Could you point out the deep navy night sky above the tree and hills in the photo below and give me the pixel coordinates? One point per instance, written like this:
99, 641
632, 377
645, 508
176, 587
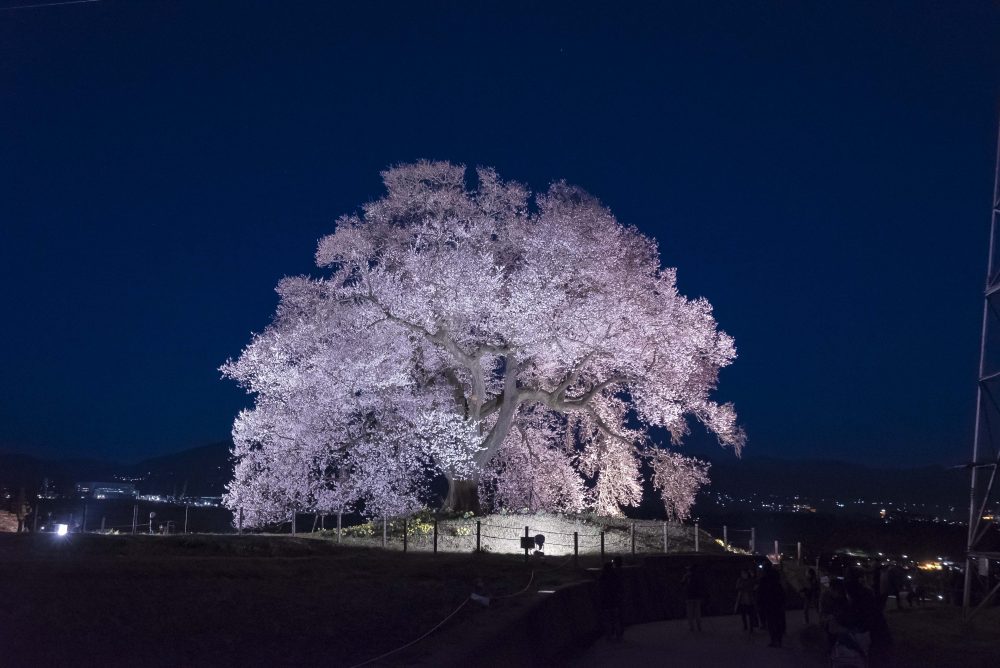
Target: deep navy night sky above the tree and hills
822, 173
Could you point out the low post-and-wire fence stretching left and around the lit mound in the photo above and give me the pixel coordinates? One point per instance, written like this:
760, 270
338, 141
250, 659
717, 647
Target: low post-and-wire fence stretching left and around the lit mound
550, 534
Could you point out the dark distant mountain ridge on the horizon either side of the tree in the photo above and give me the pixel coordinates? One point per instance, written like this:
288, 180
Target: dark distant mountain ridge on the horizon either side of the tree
204, 471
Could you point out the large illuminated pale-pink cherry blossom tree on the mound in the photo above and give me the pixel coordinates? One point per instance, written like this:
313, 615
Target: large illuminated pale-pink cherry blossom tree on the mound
520, 346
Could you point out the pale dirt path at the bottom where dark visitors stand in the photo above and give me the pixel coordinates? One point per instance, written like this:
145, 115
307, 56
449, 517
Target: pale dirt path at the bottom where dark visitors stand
721, 643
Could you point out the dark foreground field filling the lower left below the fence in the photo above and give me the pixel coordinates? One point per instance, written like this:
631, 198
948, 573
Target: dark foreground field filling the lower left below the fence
236, 601
